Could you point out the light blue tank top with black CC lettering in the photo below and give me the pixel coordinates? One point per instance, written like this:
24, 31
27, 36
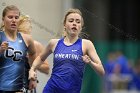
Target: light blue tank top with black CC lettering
12, 63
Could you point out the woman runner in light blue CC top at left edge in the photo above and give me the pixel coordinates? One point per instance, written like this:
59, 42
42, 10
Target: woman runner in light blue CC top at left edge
14, 47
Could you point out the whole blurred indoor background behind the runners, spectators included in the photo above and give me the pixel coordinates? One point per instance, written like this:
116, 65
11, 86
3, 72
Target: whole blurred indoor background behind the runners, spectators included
113, 27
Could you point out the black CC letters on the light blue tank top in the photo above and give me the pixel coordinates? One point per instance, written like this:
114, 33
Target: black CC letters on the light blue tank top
15, 55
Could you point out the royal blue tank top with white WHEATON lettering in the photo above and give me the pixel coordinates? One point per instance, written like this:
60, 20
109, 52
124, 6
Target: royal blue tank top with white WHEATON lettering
68, 68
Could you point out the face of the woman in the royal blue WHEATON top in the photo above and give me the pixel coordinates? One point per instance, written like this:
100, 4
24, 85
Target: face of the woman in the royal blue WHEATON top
73, 24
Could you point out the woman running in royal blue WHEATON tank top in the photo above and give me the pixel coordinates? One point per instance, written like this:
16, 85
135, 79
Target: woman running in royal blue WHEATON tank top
70, 53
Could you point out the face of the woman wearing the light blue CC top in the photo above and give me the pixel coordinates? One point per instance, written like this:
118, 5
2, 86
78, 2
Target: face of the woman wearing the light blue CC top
11, 20
